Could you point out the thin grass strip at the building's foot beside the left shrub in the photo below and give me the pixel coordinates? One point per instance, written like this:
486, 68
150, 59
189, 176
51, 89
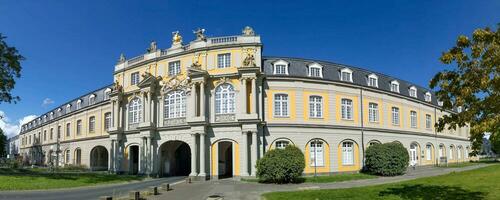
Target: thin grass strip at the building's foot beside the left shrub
325, 179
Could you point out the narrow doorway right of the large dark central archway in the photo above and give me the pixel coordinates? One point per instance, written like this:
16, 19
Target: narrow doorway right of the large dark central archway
225, 159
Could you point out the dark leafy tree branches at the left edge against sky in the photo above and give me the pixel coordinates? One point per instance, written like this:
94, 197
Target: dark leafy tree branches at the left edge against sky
10, 68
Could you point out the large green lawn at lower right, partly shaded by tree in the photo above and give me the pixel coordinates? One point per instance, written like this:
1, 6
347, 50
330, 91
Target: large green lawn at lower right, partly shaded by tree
474, 184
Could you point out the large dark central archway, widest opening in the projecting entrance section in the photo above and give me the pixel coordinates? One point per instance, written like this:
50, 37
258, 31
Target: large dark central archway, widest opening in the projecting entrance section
175, 159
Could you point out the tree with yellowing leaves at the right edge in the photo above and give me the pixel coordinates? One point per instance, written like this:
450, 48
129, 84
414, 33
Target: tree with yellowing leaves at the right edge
473, 84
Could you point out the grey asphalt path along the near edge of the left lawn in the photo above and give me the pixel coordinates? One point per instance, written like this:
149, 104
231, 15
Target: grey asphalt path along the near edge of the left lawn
84, 193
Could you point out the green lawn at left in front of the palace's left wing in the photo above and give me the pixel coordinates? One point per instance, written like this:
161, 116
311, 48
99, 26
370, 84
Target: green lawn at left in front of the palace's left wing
36, 179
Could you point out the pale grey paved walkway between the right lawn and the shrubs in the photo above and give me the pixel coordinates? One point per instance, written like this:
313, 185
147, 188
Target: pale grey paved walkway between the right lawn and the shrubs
233, 189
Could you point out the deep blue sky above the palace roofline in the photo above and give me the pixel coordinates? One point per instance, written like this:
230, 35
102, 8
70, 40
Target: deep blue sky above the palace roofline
71, 47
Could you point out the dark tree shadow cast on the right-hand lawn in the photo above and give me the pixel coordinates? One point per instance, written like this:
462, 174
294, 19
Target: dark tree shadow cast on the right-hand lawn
420, 191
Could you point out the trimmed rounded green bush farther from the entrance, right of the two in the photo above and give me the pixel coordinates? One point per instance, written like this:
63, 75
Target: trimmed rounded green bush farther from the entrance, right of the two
389, 159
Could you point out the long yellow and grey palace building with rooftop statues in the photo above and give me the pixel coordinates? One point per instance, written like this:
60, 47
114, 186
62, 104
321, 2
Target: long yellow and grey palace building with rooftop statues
212, 107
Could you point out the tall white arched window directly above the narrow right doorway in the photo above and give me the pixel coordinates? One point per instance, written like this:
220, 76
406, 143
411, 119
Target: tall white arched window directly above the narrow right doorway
224, 99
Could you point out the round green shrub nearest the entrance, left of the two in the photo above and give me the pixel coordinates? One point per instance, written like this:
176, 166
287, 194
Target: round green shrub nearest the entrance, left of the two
281, 165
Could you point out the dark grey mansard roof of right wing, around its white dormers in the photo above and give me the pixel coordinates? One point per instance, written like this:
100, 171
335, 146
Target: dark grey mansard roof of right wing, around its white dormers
297, 67
